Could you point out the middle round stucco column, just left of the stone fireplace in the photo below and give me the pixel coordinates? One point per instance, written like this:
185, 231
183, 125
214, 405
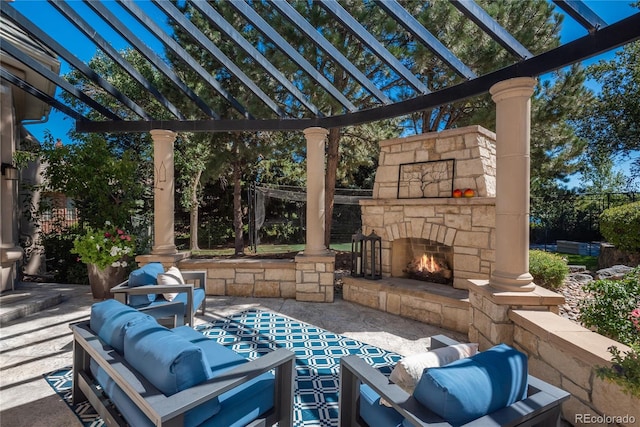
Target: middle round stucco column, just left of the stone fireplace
316, 137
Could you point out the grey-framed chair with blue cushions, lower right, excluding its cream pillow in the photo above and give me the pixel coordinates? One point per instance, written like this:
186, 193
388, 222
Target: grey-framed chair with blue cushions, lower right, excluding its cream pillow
368, 398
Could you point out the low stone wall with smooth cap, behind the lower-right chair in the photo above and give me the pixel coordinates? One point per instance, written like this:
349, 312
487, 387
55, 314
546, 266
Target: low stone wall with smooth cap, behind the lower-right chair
566, 355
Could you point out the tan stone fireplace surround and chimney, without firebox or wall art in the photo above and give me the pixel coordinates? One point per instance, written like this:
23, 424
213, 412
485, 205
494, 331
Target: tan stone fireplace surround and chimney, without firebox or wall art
466, 224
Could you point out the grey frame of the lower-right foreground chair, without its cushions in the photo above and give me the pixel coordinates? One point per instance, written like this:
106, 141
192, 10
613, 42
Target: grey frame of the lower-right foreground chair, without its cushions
541, 407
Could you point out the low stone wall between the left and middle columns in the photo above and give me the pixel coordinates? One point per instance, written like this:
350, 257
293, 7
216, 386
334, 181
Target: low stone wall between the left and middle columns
266, 278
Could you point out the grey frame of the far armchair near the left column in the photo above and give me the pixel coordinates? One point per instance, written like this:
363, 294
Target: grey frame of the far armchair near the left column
196, 279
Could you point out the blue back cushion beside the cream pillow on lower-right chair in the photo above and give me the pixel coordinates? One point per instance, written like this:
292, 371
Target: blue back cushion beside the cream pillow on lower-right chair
471, 388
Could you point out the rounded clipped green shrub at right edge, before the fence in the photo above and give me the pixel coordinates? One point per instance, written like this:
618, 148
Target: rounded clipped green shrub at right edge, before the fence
620, 226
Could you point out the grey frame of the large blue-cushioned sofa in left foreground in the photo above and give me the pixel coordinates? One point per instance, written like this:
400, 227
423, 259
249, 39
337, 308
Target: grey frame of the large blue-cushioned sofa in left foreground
168, 411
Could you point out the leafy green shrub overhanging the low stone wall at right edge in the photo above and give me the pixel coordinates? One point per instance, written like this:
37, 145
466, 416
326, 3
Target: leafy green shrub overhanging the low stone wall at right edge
610, 308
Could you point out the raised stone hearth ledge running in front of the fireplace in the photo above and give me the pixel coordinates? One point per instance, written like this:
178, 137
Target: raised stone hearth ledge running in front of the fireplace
438, 305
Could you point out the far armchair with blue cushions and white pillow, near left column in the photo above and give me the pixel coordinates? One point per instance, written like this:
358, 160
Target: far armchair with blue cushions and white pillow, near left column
166, 292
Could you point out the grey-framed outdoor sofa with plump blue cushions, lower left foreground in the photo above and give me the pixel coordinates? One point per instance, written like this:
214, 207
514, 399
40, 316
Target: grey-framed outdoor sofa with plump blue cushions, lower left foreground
136, 372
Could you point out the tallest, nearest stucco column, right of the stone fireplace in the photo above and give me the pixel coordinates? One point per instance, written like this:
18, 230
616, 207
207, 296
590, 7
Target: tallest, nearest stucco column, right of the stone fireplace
513, 134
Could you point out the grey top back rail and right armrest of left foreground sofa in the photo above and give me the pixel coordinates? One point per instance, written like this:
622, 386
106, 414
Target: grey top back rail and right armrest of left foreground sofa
161, 409
